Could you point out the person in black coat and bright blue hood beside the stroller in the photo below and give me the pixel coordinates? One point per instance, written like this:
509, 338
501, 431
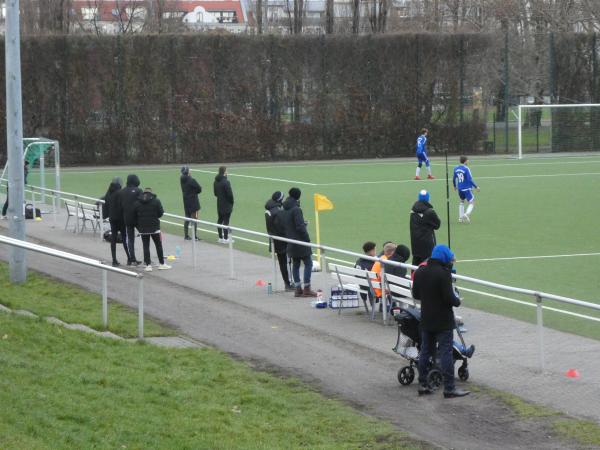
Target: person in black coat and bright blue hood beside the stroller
432, 285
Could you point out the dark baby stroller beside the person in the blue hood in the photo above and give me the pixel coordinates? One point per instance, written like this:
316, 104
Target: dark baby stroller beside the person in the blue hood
408, 345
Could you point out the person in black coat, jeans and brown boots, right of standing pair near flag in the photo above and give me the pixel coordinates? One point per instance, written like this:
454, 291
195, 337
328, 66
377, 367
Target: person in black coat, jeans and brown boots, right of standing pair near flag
295, 228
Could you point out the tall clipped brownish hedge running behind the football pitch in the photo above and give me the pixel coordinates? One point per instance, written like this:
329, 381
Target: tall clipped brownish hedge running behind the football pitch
196, 98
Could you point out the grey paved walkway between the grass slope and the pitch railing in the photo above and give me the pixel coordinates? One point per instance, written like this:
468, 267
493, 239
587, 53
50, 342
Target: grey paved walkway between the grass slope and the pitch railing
346, 355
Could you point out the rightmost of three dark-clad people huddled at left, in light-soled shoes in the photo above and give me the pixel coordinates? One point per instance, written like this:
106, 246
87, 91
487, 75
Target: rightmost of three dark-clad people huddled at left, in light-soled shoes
148, 210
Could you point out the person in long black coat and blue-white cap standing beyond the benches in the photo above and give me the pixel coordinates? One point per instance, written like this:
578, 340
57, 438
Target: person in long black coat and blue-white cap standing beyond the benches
423, 223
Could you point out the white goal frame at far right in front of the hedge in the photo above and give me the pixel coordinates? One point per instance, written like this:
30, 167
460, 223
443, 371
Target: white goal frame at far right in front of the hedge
561, 128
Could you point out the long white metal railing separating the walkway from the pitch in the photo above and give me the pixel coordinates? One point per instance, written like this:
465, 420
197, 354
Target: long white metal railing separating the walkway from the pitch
537, 296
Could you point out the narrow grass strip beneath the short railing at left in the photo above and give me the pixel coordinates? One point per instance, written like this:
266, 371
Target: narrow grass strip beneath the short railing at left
47, 297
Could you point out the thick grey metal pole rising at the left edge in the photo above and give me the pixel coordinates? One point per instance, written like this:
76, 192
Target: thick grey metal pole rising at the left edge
14, 140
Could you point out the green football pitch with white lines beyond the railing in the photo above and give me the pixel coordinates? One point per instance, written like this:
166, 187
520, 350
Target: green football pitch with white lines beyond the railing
535, 223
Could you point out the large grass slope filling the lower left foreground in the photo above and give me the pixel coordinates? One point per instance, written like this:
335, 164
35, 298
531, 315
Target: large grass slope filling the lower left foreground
72, 390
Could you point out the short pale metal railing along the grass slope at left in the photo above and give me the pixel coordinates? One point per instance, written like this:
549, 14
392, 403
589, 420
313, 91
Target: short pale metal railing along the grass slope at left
92, 263
